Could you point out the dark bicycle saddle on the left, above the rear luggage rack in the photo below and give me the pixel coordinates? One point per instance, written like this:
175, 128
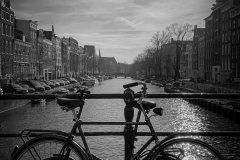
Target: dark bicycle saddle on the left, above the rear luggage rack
70, 103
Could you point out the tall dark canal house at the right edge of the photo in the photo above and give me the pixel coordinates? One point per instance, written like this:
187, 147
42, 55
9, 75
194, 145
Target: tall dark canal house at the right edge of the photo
220, 44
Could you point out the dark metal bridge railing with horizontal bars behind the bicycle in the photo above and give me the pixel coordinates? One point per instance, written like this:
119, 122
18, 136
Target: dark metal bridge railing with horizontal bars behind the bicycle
188, 96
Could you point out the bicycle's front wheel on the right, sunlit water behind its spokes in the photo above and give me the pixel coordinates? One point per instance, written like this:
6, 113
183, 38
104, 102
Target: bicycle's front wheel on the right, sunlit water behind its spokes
185, 149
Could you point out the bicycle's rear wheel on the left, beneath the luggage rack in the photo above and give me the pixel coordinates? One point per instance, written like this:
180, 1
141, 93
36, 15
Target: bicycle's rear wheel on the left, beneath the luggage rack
48, 147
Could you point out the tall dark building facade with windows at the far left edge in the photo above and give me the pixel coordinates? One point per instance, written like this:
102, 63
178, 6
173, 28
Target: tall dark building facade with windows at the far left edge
6, 38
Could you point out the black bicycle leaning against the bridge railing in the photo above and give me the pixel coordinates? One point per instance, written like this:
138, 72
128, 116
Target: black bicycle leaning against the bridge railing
57, 145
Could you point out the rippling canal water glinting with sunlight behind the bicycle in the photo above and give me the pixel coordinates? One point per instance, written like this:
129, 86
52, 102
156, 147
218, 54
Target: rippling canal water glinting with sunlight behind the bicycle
178, 116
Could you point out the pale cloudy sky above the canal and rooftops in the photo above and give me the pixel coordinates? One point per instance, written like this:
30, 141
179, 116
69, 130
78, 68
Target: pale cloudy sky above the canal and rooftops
118, 28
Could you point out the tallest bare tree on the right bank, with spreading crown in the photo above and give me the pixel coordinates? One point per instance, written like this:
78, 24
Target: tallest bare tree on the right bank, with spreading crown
179, 34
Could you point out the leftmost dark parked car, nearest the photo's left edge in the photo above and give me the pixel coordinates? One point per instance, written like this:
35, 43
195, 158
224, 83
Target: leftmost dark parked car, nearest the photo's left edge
14, 89
